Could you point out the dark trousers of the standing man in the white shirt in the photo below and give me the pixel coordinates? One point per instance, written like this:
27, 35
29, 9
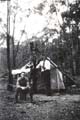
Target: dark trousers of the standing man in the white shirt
46, 78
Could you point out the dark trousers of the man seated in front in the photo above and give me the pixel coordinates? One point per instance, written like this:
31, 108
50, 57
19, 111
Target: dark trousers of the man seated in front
22, 94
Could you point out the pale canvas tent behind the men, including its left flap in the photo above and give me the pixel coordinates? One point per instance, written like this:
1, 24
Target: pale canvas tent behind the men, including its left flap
56, 77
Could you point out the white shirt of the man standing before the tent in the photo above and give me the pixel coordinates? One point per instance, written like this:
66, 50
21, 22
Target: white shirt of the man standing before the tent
45, 65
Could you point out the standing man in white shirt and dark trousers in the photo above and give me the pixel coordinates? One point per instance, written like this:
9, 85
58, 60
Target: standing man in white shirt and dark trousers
45, 73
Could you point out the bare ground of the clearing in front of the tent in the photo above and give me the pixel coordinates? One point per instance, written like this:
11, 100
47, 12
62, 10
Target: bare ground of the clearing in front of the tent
56, 107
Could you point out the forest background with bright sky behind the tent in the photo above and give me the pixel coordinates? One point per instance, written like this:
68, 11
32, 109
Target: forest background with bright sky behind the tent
53, 26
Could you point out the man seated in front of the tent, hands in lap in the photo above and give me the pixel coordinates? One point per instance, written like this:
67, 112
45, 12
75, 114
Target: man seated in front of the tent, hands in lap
23, 86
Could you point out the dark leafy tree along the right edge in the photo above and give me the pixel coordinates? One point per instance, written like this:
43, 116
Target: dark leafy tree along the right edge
72, 21
